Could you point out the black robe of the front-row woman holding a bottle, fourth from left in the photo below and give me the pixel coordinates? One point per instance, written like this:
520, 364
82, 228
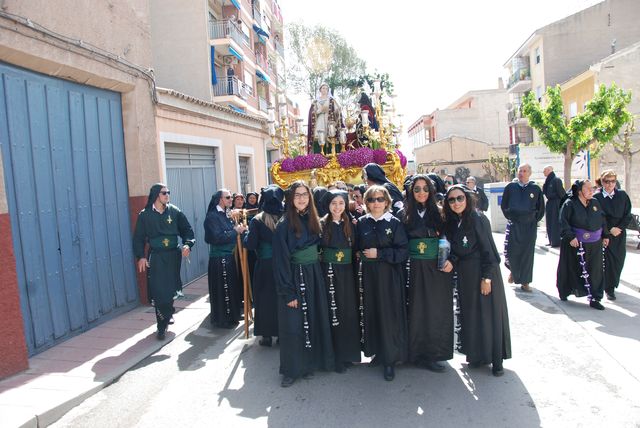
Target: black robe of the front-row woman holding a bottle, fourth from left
430, 296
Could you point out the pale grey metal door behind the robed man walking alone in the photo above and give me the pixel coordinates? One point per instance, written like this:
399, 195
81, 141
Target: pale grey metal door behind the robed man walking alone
191, 177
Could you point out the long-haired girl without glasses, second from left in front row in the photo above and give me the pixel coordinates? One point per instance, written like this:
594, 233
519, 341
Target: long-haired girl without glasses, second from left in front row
338, 234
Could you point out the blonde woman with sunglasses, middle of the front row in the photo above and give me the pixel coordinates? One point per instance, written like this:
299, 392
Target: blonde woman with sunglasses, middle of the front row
382, 243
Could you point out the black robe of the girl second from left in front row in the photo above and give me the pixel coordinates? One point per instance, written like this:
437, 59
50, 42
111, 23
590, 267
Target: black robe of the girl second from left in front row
346, 335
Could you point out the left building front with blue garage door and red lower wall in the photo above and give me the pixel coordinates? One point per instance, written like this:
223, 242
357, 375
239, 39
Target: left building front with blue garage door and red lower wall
78, 153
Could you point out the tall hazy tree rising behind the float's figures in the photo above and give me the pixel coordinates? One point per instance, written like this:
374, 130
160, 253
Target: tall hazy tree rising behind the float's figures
319, 54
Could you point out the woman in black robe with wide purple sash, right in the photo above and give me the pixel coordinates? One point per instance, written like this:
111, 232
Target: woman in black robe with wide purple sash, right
583, 231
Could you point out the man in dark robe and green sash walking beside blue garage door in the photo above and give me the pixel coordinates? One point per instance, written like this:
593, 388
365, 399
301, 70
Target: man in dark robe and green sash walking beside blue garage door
159, 224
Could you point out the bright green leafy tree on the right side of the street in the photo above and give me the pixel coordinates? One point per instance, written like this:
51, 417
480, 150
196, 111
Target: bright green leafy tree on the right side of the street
592, 129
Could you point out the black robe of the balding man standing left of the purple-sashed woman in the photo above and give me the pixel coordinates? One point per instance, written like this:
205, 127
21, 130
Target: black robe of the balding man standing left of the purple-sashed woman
523, 206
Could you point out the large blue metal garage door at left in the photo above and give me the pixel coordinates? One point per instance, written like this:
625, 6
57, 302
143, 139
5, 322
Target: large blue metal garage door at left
63, 155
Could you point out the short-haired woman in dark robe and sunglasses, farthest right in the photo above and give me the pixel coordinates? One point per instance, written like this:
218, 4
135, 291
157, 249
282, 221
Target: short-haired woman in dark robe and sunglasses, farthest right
617, 208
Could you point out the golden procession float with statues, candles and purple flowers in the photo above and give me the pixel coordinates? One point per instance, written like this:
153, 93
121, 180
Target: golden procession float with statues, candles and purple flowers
336, 146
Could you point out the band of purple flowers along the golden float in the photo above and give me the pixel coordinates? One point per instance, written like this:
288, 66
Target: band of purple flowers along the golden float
350, 158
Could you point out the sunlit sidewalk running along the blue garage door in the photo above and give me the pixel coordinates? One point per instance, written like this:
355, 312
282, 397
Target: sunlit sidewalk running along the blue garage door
62, 377
